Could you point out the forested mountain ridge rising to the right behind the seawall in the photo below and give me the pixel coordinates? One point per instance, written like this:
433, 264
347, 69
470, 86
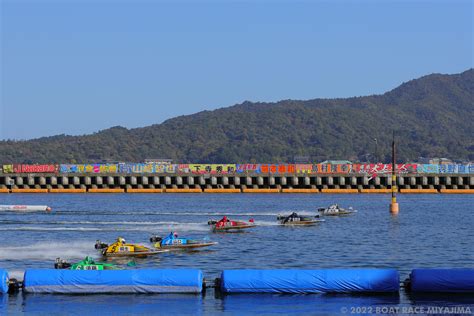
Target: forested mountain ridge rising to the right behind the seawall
433, 116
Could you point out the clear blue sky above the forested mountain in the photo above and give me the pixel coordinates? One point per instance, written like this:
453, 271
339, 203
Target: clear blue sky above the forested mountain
77, 67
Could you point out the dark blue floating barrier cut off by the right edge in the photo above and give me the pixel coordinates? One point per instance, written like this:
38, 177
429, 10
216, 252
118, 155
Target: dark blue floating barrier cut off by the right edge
442, 280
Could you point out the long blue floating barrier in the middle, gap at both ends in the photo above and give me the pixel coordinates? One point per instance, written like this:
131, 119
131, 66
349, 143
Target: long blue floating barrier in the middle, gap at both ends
310, 281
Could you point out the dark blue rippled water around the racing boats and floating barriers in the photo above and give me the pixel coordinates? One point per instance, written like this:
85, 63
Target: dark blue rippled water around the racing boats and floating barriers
430, 231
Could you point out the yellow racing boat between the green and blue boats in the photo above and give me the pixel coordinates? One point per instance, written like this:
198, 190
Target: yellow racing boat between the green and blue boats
121, 249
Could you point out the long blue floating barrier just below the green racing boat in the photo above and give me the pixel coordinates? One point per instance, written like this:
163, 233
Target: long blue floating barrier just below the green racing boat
112, 281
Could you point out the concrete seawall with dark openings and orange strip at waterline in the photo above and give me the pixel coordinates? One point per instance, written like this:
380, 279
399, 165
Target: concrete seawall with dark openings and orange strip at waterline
291, 183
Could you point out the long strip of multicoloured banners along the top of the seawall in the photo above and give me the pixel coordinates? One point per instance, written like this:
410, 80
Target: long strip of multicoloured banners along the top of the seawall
367, 169
